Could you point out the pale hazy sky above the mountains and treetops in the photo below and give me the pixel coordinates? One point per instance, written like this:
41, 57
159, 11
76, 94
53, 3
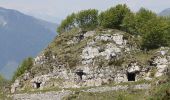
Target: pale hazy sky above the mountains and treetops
55, 10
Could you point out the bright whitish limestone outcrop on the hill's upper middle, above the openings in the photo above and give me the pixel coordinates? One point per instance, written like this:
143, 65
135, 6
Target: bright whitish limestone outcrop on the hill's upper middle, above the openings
113, 49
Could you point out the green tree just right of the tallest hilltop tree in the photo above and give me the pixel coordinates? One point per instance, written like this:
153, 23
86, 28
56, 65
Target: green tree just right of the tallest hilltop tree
134, 23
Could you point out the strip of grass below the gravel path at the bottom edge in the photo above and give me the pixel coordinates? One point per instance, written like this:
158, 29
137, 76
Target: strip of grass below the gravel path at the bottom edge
112, 95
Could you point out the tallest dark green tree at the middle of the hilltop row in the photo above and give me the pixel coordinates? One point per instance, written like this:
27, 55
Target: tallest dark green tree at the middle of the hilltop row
113, 17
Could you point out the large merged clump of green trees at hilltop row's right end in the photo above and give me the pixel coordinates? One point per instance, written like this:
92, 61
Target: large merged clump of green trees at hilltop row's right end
153, 29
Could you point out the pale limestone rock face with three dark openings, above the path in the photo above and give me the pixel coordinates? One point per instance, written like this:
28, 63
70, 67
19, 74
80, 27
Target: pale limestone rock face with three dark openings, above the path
101, 57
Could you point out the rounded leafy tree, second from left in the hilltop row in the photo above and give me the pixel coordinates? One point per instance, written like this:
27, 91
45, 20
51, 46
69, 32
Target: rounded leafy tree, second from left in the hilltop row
87, 19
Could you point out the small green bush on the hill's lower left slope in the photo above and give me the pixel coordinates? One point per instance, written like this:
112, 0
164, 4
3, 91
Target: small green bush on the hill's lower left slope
25, 65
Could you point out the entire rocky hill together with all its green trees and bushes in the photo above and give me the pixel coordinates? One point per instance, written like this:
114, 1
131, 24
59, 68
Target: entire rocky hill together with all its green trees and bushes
115, 54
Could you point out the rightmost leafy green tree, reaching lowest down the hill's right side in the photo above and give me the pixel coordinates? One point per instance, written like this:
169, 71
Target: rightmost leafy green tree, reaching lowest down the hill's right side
154, 33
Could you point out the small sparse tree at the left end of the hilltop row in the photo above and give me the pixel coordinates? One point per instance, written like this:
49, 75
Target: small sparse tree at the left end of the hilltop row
67, 24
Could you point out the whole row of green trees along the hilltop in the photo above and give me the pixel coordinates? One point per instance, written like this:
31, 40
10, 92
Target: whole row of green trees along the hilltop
154, 30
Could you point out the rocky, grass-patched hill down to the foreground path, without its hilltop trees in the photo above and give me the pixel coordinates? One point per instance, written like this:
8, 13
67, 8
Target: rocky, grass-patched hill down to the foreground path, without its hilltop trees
99, 64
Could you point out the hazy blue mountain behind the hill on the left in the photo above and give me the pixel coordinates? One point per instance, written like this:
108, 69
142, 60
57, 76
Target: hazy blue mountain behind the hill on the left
21, 36
